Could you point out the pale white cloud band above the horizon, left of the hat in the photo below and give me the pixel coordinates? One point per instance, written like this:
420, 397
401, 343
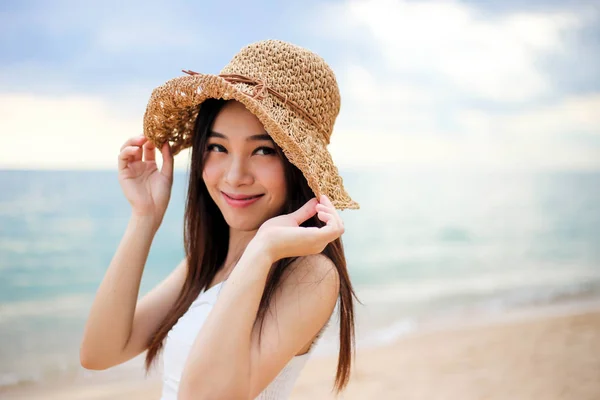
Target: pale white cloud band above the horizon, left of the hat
71, 132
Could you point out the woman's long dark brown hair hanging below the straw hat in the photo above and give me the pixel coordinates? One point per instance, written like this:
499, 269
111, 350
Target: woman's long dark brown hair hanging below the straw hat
206, 240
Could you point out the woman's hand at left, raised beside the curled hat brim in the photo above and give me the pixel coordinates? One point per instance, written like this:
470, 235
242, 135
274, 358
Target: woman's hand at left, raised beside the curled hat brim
147, 189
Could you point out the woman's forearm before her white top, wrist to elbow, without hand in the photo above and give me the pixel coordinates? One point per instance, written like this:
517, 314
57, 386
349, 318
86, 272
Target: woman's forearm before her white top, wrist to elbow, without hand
221, 354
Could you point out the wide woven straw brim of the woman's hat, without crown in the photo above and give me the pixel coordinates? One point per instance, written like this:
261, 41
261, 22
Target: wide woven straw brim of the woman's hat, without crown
173, 108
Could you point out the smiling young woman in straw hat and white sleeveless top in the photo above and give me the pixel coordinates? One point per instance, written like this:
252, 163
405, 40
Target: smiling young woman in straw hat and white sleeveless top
264, 264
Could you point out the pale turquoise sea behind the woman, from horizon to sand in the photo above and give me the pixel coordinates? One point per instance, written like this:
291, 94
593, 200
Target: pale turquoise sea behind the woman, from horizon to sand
425, 245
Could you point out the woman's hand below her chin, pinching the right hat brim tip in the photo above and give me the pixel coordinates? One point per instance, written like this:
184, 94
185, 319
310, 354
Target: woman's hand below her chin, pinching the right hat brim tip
282, 236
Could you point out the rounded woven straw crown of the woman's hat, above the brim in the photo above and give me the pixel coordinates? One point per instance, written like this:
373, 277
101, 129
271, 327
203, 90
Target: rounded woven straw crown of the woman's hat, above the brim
296, 73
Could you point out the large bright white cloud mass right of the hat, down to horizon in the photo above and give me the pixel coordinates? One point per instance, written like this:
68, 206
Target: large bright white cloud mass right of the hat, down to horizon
446, 84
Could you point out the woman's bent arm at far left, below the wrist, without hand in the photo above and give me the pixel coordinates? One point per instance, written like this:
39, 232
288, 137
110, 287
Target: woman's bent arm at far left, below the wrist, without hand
118, 330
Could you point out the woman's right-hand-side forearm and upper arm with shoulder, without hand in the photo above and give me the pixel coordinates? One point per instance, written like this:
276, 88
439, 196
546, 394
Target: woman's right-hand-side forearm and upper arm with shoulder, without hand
226, 360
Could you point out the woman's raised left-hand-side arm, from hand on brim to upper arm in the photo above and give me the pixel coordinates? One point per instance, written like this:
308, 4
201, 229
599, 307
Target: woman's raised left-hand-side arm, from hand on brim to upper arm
118, 330
